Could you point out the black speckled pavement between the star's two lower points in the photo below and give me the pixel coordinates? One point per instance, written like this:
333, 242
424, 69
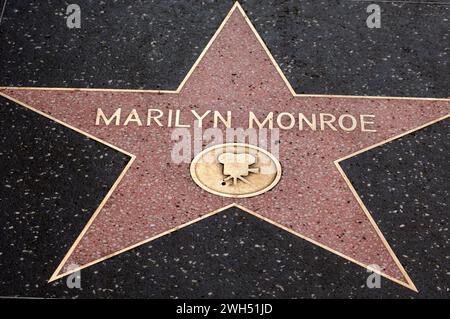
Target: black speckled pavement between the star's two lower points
229, 255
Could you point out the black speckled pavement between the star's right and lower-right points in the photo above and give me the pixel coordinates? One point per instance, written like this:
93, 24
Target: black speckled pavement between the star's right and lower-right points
405, 184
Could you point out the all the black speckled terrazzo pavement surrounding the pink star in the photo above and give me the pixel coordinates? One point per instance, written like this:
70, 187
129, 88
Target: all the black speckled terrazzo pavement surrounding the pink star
48, 195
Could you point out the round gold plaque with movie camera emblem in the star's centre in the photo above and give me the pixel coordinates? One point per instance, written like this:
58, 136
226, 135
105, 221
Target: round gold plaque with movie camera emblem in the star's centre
235, 170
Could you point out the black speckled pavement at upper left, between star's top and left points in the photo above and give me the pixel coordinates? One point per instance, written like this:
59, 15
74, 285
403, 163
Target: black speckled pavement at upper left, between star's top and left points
121, 44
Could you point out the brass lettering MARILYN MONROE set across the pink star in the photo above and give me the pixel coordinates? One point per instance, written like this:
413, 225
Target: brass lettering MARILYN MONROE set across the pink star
284, 121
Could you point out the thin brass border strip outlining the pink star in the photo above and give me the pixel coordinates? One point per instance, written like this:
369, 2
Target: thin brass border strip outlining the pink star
236, 6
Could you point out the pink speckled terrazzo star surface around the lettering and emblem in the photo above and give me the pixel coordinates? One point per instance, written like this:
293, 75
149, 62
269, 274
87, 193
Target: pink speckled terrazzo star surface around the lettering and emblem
235, 73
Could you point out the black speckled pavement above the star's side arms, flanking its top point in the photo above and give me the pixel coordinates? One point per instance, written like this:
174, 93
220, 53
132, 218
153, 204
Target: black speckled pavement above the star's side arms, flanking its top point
323, 46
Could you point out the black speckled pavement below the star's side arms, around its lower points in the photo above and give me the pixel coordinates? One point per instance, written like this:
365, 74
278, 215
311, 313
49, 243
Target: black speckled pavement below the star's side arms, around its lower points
50, 175
